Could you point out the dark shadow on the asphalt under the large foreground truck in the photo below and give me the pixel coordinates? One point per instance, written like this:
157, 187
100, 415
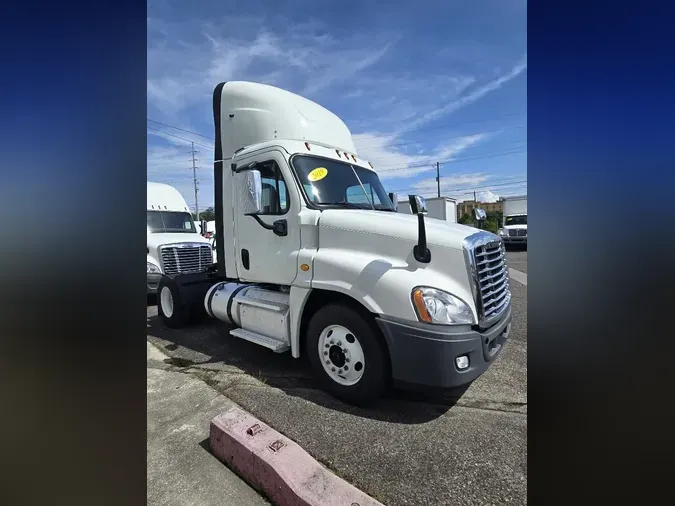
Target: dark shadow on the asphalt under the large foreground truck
207, 348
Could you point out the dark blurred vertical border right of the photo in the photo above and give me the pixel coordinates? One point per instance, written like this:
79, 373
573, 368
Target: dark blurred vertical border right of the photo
600, 163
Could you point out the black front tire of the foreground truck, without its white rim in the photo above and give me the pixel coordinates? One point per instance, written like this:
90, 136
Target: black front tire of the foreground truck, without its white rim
375, 379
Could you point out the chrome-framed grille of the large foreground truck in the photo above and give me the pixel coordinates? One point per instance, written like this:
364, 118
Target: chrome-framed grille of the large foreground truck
487, 260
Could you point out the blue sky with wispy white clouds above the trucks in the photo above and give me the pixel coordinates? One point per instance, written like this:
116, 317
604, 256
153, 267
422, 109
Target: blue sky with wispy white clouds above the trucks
419, 83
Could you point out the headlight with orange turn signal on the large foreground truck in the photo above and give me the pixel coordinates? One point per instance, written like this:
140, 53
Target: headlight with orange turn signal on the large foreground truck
436, 306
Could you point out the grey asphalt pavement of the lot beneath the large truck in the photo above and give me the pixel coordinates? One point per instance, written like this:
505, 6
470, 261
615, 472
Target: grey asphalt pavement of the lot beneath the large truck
406, 450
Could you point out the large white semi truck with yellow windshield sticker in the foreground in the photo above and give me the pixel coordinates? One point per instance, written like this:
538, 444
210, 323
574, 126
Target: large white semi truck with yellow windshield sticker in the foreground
313, 259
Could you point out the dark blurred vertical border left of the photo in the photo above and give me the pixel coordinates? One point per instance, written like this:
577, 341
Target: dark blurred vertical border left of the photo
73, 143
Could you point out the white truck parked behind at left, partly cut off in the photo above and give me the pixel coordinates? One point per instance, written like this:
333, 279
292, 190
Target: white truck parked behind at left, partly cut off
174, 244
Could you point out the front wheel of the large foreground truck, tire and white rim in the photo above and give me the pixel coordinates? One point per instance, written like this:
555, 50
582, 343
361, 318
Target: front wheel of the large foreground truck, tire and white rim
347, 355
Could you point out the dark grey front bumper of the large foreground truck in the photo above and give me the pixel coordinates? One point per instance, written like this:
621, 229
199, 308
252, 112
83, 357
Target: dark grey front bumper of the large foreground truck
423, 355
